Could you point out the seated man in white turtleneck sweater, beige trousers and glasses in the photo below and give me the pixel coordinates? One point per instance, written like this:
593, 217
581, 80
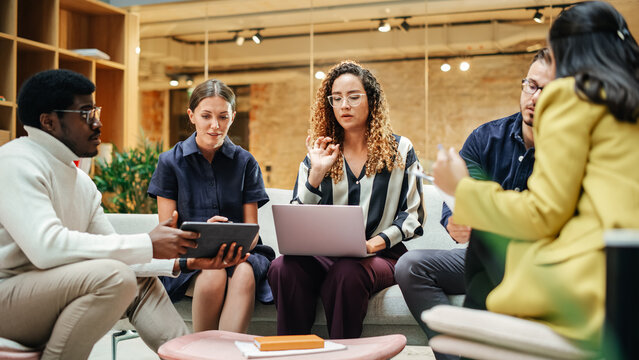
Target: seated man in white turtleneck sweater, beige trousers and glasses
64, 279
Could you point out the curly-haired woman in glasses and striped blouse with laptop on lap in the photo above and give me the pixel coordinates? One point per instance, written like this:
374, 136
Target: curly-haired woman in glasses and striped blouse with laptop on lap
353, 159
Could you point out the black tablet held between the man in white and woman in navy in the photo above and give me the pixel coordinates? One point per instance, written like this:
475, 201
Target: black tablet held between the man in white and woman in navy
213, 235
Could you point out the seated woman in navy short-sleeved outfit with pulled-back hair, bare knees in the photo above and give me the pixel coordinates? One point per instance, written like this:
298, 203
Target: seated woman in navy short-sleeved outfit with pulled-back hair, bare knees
208, 178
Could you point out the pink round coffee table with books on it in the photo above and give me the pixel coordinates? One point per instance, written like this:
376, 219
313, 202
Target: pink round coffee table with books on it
220, 345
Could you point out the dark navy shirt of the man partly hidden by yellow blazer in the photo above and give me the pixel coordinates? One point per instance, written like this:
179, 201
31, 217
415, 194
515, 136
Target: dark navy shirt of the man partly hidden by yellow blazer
496, 151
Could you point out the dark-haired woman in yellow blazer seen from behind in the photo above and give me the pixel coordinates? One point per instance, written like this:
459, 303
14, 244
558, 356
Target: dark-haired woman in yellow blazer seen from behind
585, 179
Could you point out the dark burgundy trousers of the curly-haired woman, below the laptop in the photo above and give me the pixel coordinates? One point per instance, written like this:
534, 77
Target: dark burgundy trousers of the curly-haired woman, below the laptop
343, 284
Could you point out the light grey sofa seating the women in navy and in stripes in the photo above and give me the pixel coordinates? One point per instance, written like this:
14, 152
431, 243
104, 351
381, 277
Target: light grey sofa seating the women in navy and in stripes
387, 311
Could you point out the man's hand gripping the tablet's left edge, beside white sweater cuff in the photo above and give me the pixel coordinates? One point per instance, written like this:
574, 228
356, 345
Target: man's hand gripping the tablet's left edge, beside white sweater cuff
169, 242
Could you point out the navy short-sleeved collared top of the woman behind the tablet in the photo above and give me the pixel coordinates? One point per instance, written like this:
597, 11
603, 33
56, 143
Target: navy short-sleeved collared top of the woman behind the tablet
202, 189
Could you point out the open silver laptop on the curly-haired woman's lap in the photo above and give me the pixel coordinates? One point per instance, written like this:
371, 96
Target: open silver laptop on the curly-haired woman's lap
323, 230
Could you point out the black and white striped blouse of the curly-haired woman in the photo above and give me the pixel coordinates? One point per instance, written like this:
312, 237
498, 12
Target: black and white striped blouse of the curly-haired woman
392, 201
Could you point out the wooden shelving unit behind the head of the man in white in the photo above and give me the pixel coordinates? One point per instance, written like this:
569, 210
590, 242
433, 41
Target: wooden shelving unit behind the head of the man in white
37, 35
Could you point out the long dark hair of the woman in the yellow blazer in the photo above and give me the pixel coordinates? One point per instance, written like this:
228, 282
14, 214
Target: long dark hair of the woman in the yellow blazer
591, 42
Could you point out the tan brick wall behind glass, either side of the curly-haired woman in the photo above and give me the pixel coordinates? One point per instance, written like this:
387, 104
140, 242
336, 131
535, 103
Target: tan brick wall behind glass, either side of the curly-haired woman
458, 102
